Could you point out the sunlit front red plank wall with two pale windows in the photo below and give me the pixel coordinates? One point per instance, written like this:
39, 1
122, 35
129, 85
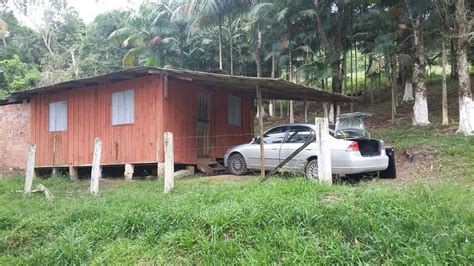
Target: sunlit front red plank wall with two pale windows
89, 116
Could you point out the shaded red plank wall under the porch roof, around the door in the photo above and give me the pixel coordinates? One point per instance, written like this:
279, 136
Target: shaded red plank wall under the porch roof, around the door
180, 117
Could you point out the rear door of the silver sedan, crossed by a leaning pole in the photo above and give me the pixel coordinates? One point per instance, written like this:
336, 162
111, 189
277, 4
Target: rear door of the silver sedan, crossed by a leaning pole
296, 137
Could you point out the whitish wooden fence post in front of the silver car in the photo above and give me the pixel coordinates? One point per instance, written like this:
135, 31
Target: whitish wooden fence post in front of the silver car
324, 158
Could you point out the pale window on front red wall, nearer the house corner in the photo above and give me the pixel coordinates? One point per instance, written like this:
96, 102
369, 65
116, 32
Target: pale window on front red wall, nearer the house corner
122, 107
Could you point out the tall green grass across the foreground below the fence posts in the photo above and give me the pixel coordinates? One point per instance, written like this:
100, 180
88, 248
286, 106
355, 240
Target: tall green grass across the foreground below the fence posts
246, 222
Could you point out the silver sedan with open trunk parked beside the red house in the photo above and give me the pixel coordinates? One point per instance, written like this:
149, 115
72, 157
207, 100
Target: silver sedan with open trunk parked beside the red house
347, 156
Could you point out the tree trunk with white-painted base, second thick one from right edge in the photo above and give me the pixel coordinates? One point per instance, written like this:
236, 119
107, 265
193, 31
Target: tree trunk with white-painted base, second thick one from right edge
420, 109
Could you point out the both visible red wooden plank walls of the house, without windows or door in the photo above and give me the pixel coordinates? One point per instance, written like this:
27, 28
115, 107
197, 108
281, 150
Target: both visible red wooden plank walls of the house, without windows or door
89, 116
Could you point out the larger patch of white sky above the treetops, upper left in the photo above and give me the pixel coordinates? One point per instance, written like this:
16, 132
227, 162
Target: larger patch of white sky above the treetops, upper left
89, 9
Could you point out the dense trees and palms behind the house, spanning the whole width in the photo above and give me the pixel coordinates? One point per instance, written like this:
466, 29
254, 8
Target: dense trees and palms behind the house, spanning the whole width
344, 46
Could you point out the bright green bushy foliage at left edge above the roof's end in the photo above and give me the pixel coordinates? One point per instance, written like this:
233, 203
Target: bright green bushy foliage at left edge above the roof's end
16, 75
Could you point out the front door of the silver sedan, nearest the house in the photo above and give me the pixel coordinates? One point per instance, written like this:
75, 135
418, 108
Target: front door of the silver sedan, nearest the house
273, 140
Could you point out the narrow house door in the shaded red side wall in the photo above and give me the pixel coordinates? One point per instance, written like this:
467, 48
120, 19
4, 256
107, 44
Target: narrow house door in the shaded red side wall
203, 125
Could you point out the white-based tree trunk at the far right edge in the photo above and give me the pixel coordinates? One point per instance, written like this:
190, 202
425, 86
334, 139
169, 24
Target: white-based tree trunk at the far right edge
466, 108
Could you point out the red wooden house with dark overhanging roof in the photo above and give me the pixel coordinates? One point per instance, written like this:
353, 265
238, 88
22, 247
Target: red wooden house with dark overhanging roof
131, 109
